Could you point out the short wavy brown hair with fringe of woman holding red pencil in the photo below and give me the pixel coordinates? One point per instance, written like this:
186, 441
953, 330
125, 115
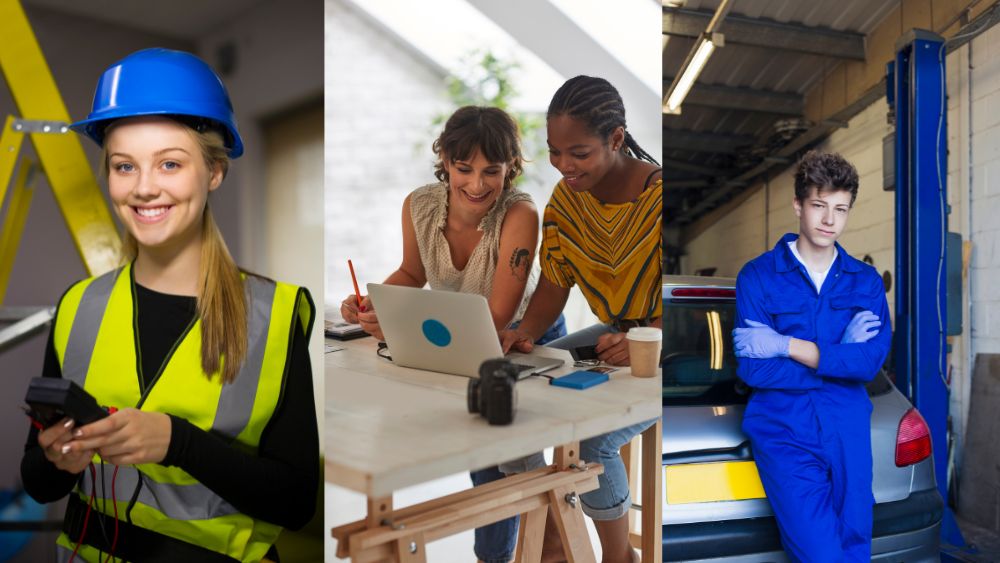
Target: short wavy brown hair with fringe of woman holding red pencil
489, 131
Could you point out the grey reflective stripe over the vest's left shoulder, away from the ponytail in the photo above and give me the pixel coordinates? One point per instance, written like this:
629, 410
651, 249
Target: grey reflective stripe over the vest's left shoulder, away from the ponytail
86, 325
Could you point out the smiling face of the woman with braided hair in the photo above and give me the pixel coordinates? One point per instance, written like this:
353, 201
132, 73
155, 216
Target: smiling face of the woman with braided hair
582, 157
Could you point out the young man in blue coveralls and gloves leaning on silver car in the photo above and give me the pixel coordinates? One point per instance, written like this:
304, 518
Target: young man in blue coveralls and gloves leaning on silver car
812, 330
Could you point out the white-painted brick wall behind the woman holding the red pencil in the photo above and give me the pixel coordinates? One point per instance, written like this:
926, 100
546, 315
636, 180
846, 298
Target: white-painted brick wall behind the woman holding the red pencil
379, 104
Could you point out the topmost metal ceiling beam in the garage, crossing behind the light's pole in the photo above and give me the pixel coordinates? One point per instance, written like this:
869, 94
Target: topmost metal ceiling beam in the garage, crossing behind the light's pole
740, 30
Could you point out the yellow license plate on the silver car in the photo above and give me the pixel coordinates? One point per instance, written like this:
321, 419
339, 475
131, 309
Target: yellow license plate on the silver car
712, 482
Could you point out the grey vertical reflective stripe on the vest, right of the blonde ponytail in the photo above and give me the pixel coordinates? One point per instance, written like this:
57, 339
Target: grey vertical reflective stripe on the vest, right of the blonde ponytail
236, 399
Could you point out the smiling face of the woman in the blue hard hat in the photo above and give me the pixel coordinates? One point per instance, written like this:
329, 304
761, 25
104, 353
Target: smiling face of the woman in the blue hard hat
159, 181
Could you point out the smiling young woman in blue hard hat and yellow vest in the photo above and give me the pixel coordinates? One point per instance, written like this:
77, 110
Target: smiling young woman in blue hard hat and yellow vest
213, 448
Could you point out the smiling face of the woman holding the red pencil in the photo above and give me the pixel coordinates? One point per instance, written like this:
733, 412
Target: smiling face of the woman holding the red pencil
474, 184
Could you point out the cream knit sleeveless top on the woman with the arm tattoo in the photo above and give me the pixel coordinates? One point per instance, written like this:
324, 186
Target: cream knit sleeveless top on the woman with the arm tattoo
429, 212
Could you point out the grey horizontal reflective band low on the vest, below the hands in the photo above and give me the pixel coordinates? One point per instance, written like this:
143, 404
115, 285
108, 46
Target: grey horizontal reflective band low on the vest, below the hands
180, 502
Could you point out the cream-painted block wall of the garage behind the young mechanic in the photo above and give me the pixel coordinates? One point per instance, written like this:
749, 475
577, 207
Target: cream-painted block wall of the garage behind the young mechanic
973, 185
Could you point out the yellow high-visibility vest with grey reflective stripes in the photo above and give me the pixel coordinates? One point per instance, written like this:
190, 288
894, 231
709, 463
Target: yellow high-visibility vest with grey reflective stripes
94, 339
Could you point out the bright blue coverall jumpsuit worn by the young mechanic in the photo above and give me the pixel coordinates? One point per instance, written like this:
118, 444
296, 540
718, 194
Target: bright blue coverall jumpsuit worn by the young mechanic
810, 429
